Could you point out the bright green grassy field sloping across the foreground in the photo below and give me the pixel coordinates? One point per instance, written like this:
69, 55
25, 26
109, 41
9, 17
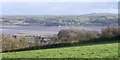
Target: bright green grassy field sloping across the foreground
109, 50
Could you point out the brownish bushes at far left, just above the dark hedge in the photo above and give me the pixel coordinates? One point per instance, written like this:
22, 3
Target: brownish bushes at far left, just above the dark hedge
13, 43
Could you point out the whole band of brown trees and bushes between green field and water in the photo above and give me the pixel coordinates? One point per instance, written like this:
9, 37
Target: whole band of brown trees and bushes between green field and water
64, 36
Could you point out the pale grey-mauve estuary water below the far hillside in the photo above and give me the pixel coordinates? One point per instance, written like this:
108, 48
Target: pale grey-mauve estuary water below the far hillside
41, 30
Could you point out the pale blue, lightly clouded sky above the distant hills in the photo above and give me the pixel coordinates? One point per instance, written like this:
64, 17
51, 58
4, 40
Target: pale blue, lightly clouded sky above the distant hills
57, 7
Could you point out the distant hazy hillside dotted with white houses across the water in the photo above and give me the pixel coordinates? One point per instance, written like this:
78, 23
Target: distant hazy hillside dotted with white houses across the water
46, 20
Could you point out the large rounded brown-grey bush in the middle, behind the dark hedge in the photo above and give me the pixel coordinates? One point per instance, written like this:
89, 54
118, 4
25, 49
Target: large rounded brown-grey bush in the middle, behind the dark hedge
75, 35
